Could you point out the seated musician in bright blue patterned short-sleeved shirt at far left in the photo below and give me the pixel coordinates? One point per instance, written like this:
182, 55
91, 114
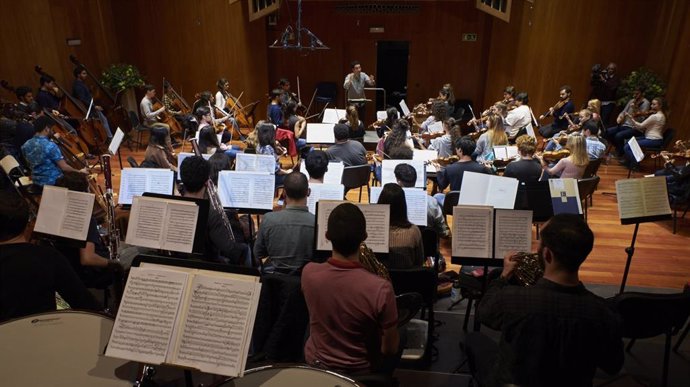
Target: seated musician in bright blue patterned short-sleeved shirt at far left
44, 157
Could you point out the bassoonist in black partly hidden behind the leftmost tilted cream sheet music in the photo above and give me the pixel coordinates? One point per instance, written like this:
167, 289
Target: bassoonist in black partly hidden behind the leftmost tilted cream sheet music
90, 262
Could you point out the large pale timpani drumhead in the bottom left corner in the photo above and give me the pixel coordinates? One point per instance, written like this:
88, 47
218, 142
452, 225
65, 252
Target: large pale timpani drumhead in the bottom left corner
61, 349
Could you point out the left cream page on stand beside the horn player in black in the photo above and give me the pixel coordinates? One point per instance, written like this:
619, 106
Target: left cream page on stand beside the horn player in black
472, 231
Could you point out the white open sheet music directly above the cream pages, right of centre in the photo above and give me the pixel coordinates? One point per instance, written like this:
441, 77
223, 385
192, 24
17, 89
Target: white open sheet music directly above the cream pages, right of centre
488, 190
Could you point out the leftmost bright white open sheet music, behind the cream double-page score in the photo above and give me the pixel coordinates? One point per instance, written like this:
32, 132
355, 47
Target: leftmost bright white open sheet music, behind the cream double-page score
136, 181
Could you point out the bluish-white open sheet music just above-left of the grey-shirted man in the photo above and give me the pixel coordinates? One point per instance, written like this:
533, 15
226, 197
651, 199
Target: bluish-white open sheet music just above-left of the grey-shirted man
241, 189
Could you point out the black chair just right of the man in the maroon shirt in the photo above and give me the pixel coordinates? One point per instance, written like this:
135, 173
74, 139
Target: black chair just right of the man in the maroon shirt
421, 280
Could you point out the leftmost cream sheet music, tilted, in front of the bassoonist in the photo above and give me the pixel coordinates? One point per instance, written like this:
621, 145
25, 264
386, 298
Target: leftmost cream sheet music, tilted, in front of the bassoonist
64, 213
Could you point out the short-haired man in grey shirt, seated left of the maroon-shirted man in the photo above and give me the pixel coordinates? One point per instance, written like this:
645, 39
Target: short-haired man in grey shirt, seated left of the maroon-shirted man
286, 237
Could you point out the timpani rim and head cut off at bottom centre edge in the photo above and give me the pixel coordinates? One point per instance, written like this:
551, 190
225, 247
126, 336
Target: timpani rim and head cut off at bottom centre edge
289, 376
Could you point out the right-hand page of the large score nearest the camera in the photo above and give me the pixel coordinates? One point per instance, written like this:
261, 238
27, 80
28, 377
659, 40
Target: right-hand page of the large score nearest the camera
215, 333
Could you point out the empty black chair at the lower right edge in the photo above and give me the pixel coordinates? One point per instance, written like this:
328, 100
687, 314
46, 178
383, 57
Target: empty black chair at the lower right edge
648, 315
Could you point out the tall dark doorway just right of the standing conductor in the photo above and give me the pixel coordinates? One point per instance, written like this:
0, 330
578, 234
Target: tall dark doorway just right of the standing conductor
391, 72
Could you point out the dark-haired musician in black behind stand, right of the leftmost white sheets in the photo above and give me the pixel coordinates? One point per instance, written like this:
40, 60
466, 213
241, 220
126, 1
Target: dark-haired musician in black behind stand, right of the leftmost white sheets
220, 246
